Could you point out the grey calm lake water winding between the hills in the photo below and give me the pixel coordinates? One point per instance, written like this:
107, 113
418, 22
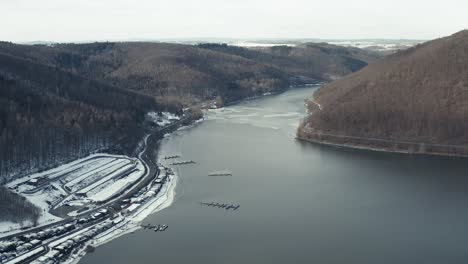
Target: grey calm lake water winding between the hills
300, 203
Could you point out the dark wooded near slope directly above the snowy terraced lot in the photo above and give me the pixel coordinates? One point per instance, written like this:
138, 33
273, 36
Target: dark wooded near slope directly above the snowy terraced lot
49, 116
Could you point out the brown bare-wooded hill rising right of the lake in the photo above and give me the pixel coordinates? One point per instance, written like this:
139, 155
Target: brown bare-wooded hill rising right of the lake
417, 95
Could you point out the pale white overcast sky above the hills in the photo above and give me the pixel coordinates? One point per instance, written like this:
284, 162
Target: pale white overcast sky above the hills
85, 20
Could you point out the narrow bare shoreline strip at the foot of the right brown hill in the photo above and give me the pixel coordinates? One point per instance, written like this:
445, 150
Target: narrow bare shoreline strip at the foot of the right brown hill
376, 149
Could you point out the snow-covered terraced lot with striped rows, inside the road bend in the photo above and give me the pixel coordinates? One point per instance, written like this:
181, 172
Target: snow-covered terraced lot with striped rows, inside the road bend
80, 183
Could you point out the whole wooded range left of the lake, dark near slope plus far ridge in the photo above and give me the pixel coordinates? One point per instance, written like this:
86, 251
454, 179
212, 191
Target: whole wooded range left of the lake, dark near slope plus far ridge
64, 101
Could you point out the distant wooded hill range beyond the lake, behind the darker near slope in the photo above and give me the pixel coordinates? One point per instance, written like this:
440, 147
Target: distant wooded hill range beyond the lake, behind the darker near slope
189, 73
